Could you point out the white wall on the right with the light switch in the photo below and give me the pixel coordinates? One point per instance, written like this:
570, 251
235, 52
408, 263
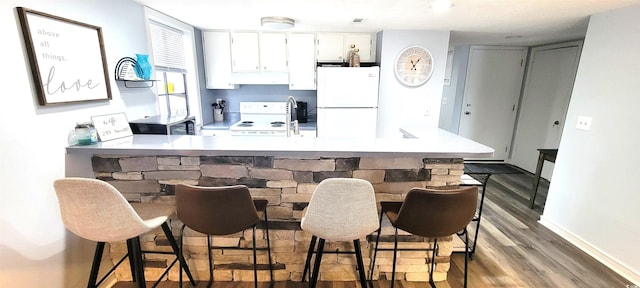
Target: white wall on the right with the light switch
593, 200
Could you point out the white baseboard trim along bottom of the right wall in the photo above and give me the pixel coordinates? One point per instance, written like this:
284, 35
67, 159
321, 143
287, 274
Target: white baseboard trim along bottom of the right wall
592, 251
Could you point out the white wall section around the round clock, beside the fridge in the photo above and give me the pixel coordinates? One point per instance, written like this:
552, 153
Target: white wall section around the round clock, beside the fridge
400, 105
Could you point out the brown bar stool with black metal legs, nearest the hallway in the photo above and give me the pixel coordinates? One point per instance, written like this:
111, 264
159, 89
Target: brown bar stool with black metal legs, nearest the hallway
431, 213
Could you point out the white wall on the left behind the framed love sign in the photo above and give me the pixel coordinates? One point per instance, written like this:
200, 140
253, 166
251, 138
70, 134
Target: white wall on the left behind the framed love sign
35, 249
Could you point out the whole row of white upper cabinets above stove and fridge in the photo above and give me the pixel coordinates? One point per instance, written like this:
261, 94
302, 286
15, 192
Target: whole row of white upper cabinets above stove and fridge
254, 57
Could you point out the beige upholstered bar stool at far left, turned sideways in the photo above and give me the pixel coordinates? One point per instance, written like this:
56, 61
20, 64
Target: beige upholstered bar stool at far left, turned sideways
95, 210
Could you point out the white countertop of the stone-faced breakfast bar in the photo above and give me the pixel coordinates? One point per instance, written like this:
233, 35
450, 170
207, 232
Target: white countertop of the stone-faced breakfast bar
434, 143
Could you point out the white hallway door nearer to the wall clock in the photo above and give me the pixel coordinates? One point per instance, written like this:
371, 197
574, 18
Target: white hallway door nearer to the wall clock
491, 93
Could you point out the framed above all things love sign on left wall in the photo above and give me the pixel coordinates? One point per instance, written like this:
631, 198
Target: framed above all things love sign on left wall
67, 58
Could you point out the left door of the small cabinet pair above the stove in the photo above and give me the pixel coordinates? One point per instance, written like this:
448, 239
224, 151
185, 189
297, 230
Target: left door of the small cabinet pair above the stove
245, 54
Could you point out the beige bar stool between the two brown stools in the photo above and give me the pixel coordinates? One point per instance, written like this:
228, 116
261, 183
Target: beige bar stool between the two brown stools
340, 209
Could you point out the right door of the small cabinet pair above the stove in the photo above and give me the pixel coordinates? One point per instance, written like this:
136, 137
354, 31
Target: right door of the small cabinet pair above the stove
273, 52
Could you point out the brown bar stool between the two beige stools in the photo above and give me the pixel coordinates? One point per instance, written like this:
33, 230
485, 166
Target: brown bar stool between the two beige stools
221, 211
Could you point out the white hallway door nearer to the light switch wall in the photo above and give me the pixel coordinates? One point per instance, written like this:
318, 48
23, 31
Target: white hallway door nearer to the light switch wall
551, 73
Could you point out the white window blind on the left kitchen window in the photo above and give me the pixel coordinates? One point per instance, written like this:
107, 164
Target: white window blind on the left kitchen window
168, 47
